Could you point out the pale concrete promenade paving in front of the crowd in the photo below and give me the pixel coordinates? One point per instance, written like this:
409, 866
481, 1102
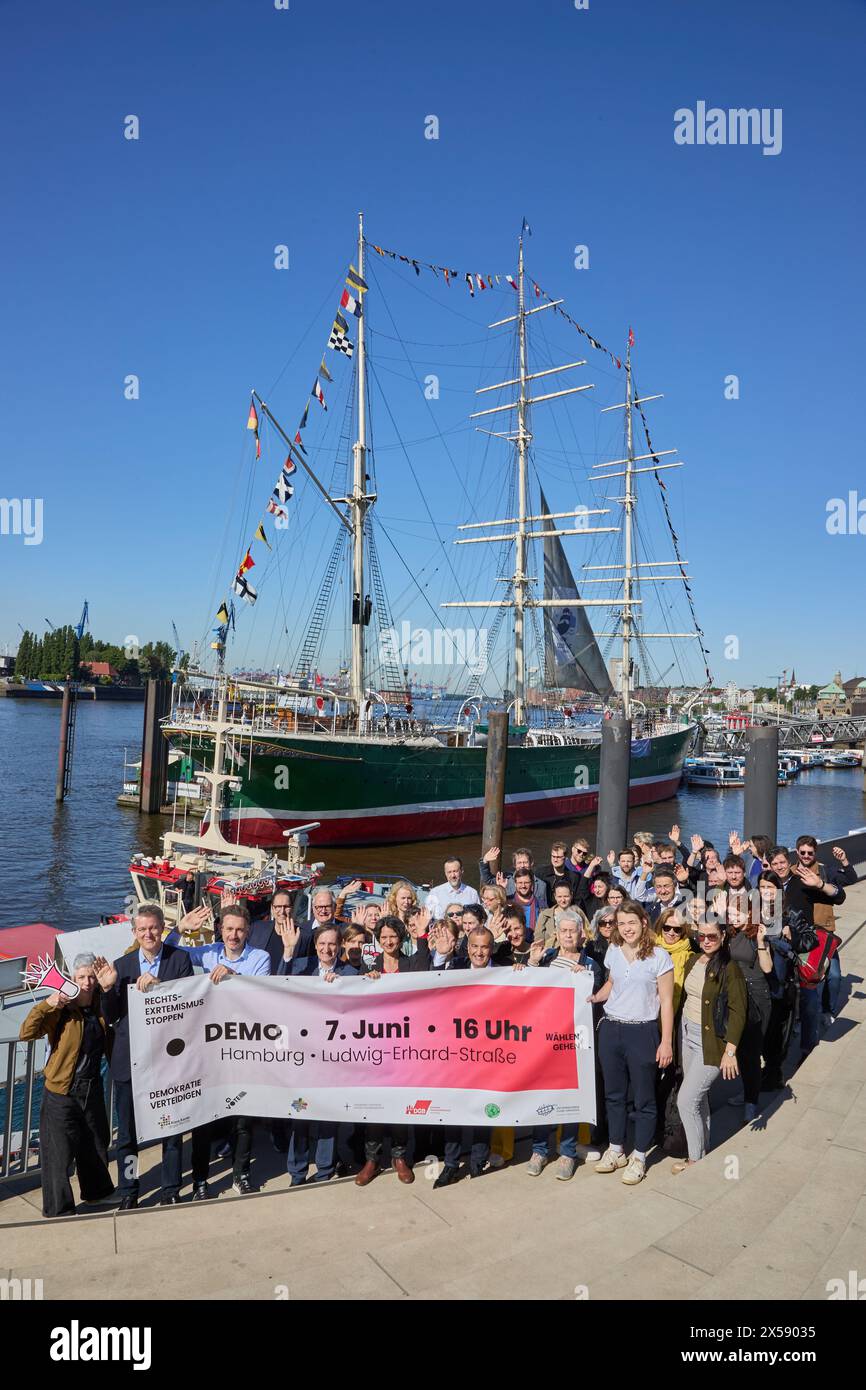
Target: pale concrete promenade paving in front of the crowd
776, 1211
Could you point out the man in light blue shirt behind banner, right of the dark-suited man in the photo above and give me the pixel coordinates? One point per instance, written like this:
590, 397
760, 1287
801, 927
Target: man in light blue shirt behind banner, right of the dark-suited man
224, 960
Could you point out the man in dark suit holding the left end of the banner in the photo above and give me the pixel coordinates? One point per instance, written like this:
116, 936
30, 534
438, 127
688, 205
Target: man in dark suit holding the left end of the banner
148, 965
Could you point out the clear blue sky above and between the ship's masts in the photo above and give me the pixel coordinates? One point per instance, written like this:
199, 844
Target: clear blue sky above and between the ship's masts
263, 127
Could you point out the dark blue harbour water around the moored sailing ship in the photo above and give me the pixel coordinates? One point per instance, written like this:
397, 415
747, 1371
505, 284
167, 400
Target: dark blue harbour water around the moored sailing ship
67, 865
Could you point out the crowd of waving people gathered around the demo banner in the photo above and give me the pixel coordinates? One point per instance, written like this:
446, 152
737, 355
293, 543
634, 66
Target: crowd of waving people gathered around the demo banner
701, 963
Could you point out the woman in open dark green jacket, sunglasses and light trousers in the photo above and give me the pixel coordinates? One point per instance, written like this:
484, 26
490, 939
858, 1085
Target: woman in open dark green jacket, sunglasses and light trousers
714, 1018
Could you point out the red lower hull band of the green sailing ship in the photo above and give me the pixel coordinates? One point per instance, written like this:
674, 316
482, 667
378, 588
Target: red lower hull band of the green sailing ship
407, 824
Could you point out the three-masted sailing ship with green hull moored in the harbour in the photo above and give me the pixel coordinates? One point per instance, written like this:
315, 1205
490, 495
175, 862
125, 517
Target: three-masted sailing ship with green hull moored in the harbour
308, 750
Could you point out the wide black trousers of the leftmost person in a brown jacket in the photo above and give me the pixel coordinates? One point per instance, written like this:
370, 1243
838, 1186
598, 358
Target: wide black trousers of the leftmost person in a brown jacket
74, 1129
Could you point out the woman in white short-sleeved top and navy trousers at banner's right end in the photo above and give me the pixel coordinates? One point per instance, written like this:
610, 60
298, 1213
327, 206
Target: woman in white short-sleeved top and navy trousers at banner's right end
637, 997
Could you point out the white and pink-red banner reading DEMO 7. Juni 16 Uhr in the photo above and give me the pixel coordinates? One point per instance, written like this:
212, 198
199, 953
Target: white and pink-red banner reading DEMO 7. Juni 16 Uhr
462, 1047
